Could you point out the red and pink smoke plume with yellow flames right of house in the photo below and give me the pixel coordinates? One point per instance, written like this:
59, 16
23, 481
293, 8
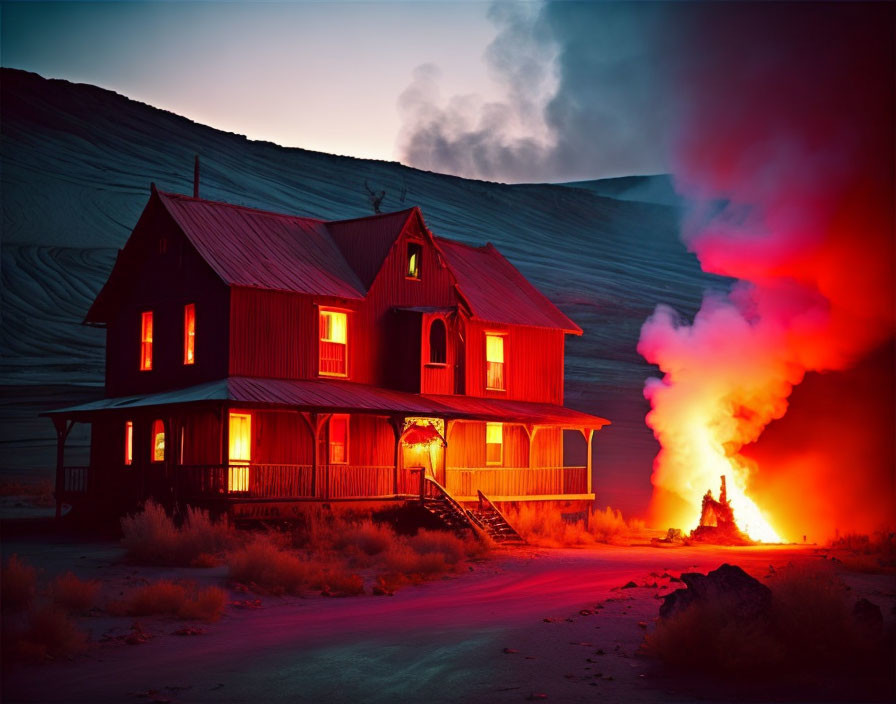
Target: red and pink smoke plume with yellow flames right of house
783, 138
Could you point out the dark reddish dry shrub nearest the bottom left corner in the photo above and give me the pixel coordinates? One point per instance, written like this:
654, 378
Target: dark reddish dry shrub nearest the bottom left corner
49, 633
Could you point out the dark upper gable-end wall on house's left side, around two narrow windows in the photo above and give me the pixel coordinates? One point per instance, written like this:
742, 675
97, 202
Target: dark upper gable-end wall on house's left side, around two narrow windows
170, 276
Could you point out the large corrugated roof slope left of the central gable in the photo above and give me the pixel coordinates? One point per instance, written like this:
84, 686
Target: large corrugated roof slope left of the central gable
254, 248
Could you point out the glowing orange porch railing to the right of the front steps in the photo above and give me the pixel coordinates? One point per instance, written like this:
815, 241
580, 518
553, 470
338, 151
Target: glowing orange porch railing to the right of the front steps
516, 481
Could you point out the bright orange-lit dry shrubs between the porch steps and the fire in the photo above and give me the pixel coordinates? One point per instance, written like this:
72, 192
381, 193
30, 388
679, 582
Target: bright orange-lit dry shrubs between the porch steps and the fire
545, 526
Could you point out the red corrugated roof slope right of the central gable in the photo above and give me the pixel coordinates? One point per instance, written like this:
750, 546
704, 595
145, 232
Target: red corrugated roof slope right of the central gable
497, 292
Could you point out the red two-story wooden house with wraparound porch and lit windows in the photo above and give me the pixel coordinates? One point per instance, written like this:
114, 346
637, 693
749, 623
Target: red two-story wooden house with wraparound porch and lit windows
256, 360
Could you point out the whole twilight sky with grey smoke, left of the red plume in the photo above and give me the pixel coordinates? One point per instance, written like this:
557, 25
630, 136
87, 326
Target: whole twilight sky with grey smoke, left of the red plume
503, 91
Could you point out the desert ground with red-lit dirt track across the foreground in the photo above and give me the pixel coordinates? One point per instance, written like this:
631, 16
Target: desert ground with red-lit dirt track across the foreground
523, 624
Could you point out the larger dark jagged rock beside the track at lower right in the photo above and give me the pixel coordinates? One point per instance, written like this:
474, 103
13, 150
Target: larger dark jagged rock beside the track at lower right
745, 597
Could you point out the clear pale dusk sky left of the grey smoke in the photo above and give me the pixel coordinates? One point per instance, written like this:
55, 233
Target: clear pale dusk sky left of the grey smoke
321, 76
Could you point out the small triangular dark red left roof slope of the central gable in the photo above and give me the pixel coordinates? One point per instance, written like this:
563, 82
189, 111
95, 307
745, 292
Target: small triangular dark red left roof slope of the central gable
365, 242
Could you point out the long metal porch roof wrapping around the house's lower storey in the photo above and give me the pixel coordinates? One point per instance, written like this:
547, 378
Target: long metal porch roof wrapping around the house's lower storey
329, 395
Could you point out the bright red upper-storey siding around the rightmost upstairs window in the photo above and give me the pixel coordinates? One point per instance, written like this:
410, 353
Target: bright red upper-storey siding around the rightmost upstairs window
533, 363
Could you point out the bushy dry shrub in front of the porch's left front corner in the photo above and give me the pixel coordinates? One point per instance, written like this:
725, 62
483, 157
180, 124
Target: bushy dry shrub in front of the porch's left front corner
152, 537
